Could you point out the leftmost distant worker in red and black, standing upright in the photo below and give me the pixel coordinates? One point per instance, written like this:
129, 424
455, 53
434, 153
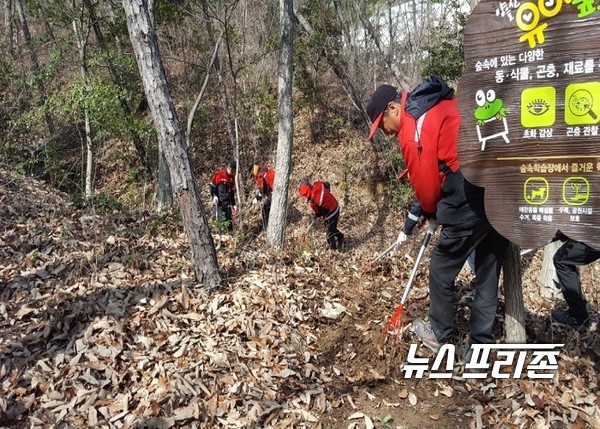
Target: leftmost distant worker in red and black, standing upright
222, 192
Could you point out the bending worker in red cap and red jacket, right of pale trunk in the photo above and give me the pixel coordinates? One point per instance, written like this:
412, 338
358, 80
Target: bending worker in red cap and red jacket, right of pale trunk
324, 205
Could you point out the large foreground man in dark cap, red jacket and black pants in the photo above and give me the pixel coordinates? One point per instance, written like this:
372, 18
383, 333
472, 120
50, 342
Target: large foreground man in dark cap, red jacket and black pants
426, 121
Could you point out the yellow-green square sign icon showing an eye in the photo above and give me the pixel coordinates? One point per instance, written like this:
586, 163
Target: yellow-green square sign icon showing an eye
538, 107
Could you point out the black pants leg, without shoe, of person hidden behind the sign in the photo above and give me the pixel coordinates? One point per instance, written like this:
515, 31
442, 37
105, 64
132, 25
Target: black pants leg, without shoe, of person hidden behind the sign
566, 259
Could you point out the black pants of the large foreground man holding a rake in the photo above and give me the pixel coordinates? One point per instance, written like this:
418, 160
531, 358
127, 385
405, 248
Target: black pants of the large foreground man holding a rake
454, 246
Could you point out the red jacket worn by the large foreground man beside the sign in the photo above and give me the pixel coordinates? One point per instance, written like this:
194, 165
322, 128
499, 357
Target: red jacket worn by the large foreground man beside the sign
427, 144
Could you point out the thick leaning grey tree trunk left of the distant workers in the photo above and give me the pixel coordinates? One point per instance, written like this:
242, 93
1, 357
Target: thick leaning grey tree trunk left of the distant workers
145, 45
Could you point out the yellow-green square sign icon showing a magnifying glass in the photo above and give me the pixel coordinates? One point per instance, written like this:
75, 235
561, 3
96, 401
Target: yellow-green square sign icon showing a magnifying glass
581, 102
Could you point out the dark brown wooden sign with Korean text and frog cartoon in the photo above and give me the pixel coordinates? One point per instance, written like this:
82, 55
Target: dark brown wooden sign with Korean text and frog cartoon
530, 105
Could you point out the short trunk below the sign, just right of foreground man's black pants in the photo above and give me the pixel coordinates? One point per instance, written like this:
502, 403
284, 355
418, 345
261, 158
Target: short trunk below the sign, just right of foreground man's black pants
513, 296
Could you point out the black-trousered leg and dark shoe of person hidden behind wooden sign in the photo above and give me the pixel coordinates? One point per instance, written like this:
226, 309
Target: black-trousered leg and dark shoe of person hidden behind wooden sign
566, 260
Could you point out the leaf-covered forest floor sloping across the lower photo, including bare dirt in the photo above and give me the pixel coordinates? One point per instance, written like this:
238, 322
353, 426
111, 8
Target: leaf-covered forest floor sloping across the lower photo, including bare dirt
102, 324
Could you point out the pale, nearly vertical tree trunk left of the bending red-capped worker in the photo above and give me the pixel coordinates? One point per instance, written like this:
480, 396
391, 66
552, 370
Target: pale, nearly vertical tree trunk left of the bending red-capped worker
283, 163
